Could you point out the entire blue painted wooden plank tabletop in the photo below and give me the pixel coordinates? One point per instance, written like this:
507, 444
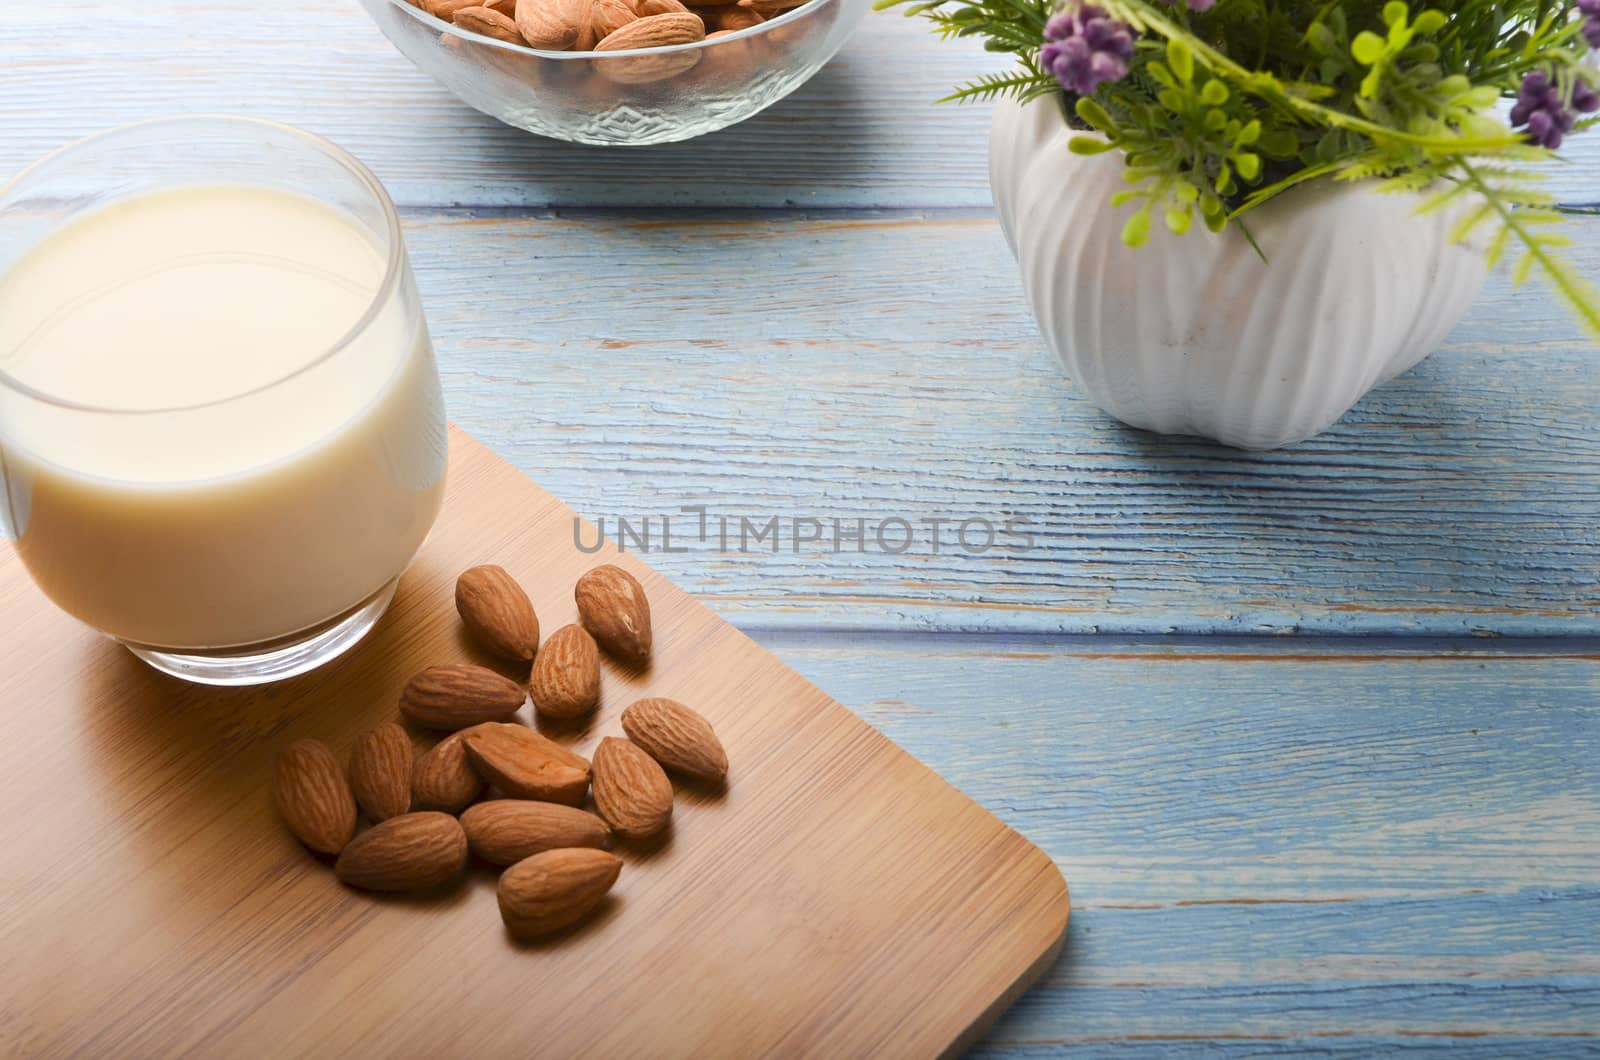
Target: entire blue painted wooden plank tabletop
1314, 736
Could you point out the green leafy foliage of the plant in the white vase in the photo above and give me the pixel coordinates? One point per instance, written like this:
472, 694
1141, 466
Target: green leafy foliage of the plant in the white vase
1226, 110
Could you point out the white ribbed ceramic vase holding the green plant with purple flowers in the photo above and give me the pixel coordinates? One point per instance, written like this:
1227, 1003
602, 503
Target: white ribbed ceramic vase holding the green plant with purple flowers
1194, 334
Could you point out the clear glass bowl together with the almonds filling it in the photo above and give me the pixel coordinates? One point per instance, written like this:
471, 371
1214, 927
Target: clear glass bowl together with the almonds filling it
618, 71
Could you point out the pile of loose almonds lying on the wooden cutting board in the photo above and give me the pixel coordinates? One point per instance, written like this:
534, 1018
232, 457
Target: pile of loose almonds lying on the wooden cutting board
495, 787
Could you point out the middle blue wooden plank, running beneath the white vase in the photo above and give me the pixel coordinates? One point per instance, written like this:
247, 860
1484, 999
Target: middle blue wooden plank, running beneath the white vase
838, 369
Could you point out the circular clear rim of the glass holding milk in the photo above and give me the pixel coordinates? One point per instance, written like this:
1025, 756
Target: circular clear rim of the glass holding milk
380, 299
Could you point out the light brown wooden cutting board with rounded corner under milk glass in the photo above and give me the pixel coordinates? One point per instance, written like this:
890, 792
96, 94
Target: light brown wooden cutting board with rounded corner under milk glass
839, 899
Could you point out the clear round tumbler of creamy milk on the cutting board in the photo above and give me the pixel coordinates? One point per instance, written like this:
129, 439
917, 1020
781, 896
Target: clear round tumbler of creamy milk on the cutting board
222, 428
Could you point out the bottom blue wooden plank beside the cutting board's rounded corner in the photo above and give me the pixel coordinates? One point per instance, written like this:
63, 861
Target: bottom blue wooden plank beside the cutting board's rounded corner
1276, 848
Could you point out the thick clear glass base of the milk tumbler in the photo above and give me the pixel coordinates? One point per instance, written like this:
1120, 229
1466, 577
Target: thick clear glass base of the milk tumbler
276, 660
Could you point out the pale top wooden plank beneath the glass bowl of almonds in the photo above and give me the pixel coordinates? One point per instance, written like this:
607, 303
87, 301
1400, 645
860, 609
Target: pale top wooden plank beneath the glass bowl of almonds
863, 134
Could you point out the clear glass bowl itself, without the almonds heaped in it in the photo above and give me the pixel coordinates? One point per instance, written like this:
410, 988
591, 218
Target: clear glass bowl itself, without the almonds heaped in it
642, 97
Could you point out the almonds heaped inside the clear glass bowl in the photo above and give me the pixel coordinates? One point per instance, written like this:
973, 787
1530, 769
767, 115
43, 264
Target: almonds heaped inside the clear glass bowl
604, 25
